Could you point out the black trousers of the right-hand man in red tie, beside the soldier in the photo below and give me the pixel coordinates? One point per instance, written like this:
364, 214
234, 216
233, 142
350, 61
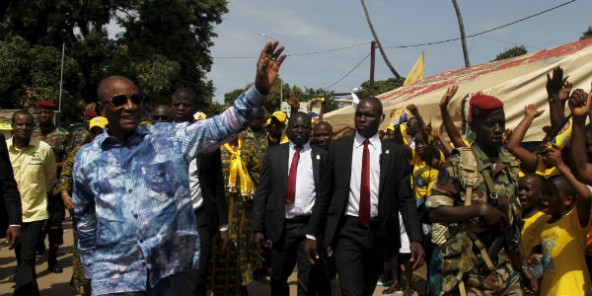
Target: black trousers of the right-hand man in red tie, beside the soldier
358, 265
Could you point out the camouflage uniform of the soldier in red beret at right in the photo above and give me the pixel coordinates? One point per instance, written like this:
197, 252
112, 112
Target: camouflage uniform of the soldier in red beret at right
461, 258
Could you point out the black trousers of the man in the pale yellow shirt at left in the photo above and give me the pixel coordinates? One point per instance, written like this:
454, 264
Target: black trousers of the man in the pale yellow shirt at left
26, 278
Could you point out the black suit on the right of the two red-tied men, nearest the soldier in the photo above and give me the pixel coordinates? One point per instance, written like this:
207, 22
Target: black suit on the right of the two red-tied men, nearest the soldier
360, 250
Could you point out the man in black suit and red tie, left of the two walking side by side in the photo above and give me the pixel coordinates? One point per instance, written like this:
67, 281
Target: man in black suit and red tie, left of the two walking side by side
290, 206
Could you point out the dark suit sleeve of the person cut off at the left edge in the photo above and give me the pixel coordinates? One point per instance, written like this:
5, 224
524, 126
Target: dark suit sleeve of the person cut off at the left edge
10, 199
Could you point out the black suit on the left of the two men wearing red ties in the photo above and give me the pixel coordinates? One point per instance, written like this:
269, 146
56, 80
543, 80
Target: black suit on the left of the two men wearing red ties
289, 235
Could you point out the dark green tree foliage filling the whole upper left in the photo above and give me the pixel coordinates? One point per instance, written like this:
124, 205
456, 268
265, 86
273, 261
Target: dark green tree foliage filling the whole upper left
164, 45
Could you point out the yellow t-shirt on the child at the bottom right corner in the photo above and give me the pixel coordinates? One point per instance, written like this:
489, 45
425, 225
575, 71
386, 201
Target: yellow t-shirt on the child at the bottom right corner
564, 246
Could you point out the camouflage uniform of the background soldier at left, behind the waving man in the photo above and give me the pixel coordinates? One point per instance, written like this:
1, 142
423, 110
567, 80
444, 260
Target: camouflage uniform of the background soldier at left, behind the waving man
58, 139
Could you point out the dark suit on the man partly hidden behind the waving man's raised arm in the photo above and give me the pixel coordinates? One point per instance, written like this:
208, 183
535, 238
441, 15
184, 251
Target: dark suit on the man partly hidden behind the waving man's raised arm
213, 212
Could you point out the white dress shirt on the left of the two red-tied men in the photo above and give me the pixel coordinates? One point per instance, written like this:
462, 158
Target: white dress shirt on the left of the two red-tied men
305, 188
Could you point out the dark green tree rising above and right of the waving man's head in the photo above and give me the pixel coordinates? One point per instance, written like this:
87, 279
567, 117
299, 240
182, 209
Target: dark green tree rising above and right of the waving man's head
179, 30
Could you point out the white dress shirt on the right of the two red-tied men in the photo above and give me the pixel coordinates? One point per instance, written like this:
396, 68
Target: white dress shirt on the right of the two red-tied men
375, 149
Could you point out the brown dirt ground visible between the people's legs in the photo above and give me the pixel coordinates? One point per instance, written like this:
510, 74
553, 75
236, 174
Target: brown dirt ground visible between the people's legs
52, 284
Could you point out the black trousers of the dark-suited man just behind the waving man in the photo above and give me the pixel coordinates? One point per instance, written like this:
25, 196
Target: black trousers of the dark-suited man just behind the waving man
205, 253
